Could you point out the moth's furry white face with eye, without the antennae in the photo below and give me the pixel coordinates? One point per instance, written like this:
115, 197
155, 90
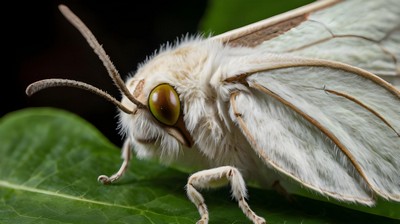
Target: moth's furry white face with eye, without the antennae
156, 129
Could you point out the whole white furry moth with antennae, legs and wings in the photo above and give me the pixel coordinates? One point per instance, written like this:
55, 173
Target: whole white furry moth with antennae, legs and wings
296, 102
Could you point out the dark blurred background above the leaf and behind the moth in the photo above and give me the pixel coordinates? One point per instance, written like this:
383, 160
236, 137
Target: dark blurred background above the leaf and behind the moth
39, 43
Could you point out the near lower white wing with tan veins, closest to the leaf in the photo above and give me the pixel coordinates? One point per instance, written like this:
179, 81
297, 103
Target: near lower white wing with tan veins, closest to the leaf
334, 128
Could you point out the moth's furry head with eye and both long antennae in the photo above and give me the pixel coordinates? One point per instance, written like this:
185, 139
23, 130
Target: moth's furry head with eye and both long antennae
151, 110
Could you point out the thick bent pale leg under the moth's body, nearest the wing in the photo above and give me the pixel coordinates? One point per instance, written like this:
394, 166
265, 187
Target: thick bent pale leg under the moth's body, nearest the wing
214, 178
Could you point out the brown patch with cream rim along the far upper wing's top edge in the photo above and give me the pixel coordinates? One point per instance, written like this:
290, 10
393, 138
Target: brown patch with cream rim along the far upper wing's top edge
256, 33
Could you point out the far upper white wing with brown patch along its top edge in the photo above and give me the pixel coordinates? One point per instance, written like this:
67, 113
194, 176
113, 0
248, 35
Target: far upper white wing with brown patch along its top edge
362, 33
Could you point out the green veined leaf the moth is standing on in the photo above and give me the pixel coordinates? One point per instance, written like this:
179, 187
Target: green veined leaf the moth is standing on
50, 160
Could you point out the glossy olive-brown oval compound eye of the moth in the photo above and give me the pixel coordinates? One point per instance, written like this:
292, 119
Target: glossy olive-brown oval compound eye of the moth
164, 104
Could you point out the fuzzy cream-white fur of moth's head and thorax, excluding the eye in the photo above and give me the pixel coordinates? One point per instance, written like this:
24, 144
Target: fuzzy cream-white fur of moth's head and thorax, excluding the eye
195, 67
